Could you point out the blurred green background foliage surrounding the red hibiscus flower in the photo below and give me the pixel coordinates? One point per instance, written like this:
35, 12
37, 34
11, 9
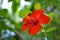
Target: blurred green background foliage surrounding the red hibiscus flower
12, 13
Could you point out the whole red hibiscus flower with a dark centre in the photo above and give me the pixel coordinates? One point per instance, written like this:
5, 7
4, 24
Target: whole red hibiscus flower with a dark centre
33, 22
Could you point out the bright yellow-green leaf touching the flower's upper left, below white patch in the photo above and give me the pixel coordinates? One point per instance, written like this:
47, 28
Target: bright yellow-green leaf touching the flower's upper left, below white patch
25, 11
